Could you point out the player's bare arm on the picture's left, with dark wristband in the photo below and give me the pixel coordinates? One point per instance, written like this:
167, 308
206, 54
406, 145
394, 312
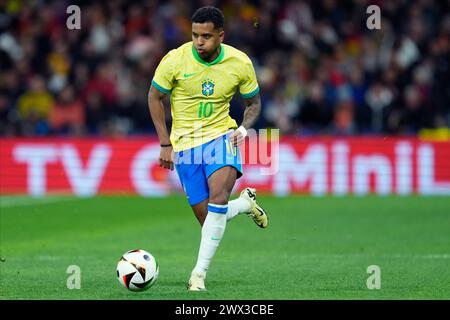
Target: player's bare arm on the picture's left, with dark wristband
157, 113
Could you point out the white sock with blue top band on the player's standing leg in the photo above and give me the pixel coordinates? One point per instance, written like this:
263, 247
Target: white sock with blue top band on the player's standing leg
212, 232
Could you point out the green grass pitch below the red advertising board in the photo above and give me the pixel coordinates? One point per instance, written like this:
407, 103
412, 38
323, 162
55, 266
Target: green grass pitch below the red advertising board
314, 248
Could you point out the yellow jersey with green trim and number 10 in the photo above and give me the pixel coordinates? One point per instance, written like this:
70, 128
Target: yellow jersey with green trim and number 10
200, 92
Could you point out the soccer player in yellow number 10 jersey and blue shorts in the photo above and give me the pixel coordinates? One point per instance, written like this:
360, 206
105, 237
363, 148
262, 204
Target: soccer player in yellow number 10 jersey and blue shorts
201, 77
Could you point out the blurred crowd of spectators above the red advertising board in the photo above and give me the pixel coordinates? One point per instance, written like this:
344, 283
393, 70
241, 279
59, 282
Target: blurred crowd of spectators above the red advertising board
320, 69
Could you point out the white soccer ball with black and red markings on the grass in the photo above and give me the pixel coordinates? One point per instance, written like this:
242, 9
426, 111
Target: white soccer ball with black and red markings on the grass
137, 270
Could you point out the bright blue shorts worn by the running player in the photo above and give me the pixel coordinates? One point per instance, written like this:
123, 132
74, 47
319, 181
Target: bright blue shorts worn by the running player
195, 165
